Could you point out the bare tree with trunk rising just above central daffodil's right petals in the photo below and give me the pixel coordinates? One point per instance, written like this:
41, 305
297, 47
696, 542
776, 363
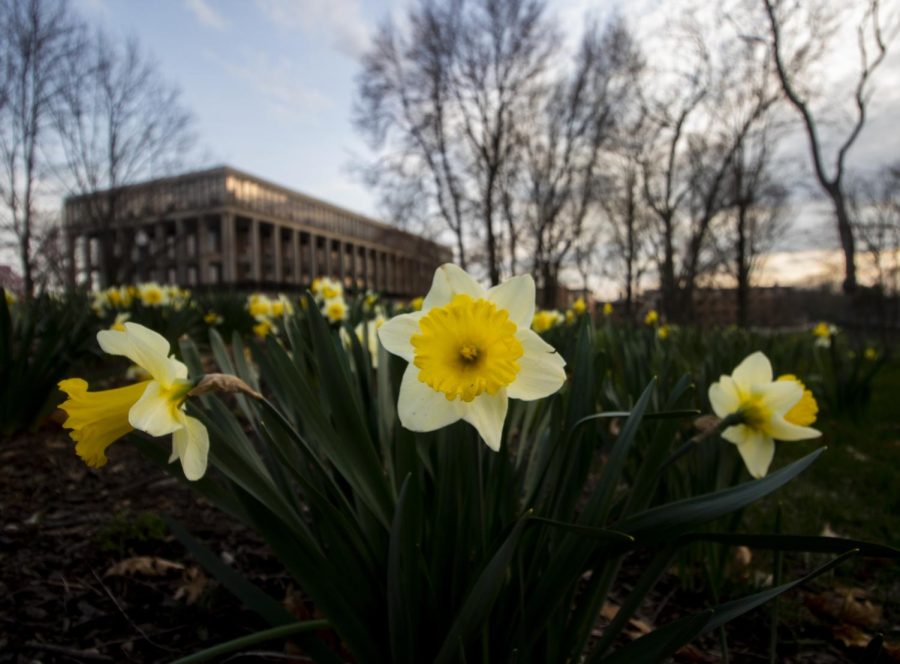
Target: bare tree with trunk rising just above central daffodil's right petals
562, 178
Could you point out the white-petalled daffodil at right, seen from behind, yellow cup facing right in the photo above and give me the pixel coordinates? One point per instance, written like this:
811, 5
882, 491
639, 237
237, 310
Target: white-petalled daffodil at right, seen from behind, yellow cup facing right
765, 408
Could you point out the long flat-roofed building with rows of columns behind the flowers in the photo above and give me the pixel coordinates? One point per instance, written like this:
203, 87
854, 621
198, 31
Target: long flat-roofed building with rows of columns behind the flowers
225, 228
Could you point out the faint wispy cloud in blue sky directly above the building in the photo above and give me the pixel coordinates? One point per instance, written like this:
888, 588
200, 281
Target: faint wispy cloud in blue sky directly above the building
278, 82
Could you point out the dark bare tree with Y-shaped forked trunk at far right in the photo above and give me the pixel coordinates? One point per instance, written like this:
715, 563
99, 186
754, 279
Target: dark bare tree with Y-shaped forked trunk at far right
792, 66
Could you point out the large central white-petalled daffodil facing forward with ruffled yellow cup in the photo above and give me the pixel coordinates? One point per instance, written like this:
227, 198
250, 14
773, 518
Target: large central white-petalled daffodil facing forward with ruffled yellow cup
469, 350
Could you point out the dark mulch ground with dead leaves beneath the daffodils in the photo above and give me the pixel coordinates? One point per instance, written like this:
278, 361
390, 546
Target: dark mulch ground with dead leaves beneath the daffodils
89, 572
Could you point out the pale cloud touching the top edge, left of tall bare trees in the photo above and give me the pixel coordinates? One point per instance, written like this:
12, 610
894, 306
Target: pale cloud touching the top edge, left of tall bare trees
342, 20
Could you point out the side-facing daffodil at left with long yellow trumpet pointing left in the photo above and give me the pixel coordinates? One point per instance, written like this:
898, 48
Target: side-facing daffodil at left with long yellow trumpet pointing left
155, 406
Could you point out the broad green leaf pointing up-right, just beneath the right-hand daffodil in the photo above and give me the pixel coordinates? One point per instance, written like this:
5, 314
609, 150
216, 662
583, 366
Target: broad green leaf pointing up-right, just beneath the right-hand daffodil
666, 522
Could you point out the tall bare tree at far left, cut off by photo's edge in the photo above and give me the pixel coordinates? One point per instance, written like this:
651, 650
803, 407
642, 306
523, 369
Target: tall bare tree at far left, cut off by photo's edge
39, 37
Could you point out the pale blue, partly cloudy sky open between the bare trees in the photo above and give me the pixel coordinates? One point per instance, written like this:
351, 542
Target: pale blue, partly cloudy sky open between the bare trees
272, 84
